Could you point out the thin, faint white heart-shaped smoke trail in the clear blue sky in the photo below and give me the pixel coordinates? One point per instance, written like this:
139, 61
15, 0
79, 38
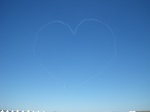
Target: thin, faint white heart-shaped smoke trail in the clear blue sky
74, 31
